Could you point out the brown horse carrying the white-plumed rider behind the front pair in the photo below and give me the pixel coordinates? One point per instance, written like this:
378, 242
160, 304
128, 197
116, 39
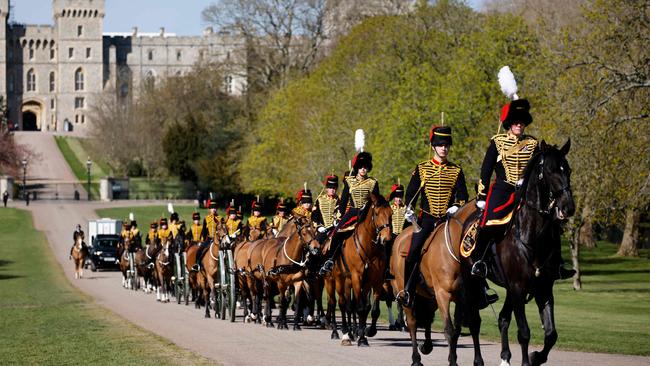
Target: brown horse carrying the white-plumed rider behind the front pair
359, 269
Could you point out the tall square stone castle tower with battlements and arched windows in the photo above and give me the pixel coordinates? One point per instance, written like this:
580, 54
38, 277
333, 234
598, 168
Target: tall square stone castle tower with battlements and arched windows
78, 25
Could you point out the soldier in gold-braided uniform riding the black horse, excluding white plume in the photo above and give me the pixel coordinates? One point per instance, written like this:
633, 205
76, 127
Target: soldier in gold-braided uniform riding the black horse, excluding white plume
507, 156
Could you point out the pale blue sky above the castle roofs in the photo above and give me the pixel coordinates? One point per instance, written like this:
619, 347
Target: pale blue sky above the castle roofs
182, 17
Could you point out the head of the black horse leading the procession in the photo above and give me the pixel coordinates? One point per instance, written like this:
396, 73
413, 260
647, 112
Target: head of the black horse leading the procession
554, 175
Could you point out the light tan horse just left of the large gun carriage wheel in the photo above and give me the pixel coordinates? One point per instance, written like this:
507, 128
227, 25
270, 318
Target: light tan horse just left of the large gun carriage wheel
207, 275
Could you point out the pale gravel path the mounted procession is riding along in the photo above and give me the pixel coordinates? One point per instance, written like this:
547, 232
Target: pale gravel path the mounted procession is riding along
250, 344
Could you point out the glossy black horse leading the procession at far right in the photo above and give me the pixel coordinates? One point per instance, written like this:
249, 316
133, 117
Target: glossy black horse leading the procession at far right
525, 261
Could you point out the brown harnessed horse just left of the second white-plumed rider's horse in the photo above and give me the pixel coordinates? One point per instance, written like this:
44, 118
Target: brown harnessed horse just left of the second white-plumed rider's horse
278, 263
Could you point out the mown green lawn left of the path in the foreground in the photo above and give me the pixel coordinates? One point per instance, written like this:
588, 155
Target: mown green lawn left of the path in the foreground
45, 321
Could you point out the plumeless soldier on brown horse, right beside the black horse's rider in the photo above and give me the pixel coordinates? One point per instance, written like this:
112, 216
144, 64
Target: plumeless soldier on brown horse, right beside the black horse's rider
441, 184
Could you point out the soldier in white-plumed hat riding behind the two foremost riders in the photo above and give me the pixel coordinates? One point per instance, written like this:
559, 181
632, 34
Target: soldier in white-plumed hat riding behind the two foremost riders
357, 188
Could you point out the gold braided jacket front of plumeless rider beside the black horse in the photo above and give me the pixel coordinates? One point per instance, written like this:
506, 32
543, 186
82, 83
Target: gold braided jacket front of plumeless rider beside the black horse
438, 182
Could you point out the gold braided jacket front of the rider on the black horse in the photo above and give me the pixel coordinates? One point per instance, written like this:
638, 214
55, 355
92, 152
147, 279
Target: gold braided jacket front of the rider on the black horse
514, 154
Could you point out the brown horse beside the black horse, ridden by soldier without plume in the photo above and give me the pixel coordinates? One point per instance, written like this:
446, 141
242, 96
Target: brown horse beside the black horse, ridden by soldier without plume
440, 267
